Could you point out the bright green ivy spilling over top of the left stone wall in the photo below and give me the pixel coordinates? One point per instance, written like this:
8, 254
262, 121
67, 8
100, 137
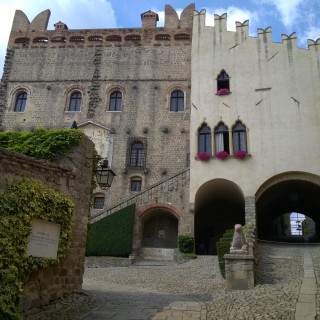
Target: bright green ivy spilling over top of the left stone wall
41, 143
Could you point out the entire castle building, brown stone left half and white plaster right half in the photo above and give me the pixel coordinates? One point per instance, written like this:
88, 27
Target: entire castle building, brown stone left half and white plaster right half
166, 105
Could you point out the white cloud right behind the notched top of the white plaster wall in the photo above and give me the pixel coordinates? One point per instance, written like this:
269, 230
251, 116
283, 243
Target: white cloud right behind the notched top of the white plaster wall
233, 14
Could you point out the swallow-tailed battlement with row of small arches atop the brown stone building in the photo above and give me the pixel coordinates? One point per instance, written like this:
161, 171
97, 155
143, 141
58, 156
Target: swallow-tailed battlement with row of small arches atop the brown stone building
29, 34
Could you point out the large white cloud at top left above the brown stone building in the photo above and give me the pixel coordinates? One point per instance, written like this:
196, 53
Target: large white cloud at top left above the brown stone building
81, 14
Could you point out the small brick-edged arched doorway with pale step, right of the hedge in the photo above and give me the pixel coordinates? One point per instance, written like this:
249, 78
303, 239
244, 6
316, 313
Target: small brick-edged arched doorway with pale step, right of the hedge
159, 231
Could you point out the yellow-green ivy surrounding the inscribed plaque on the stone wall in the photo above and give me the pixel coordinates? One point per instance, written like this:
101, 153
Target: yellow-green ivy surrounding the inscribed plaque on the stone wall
20, 203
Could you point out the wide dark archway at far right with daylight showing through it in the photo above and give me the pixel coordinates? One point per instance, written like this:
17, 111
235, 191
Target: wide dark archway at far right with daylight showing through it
283, 194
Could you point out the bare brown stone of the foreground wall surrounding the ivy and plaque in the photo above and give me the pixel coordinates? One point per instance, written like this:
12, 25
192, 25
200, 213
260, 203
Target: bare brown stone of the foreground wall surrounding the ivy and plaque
72, 176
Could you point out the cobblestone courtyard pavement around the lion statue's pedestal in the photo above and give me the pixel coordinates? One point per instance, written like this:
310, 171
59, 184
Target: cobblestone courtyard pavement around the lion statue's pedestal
191, 290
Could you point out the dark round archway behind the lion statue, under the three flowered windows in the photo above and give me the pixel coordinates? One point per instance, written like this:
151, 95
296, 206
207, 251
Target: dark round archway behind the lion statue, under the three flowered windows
219, 205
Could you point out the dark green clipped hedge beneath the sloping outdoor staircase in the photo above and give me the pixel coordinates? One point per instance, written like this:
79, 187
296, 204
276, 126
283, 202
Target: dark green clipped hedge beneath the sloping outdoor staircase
112, 235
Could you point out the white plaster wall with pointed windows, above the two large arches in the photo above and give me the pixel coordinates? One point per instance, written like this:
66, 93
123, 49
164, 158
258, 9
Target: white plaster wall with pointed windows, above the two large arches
283, 121
